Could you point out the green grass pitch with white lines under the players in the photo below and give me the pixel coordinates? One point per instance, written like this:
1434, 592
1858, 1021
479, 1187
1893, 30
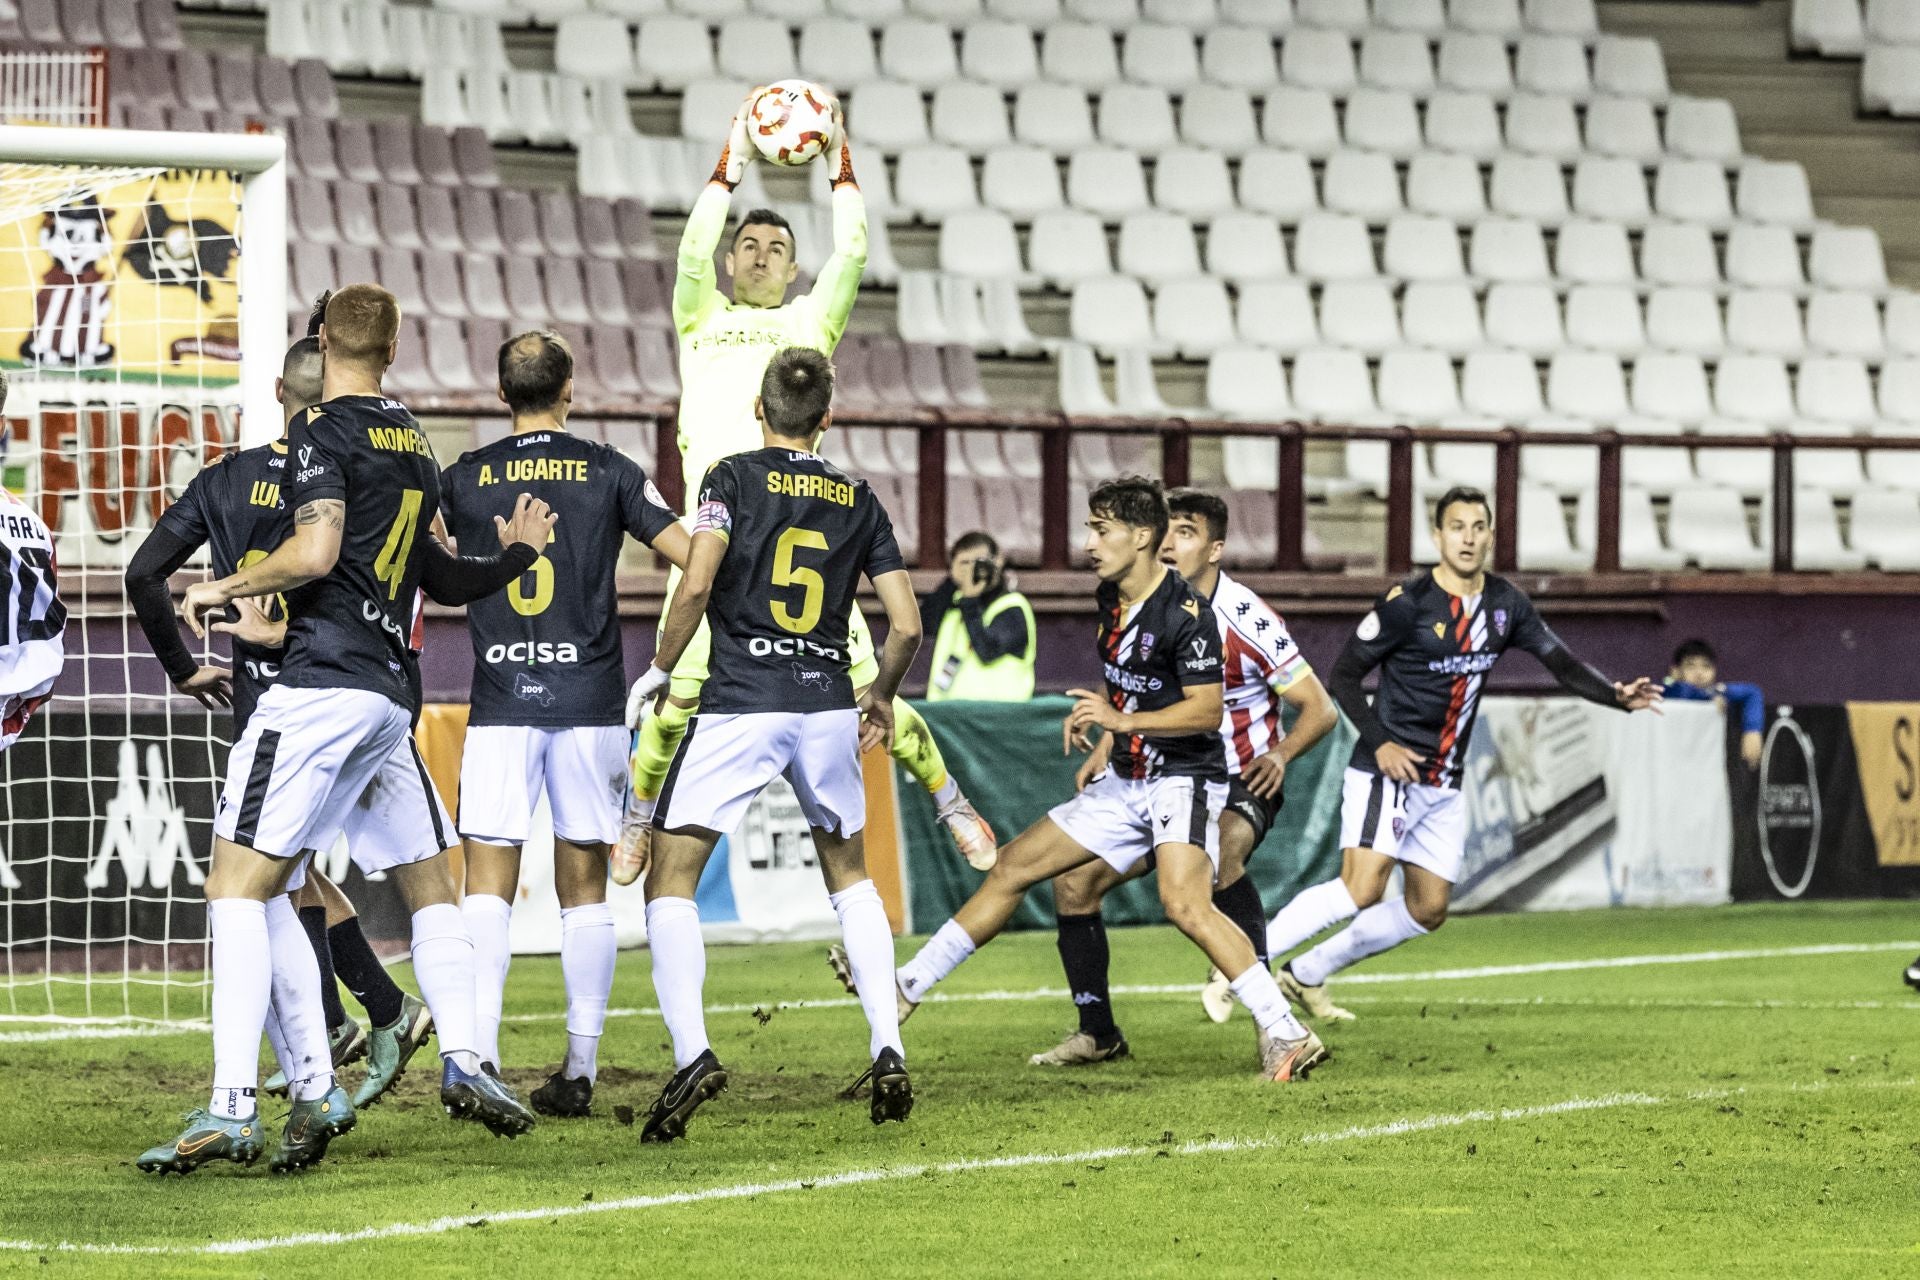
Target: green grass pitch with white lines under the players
1740, 1114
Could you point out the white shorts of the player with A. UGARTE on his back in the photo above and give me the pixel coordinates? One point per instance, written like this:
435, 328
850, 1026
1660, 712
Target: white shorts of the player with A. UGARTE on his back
583, 770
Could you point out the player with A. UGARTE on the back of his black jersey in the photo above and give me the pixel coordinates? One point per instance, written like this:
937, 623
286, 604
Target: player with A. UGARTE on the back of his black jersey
550, 694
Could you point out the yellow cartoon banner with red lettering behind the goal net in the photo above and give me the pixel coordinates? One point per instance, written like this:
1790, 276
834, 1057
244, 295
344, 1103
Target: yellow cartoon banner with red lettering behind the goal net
120, 333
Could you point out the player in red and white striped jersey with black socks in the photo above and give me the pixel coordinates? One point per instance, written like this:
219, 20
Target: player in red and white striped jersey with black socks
1262, 669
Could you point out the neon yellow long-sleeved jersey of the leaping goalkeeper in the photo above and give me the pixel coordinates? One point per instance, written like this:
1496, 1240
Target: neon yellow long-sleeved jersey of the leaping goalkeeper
725, 348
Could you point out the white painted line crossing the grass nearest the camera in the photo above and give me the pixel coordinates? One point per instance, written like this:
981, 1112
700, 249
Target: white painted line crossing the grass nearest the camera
454, 1223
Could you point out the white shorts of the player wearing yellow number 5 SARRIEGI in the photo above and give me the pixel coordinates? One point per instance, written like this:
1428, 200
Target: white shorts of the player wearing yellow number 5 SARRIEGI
727, 761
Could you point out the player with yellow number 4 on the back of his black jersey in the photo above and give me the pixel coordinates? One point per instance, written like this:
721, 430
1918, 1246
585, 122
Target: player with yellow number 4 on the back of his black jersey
333, 736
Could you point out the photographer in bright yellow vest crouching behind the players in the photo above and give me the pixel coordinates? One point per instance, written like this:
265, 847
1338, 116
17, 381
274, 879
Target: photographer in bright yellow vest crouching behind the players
984, 636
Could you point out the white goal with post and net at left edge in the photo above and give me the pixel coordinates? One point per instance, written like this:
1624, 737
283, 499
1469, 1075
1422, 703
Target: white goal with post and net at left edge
143, 316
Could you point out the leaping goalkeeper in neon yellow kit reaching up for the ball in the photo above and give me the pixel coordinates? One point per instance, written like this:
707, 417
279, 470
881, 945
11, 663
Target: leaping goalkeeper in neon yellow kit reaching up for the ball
725, 348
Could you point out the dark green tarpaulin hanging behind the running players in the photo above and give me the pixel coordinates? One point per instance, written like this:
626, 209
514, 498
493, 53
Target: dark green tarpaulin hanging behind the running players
1007, 757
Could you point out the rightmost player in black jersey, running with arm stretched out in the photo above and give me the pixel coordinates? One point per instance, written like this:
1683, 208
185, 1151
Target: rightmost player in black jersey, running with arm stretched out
1435, 640
